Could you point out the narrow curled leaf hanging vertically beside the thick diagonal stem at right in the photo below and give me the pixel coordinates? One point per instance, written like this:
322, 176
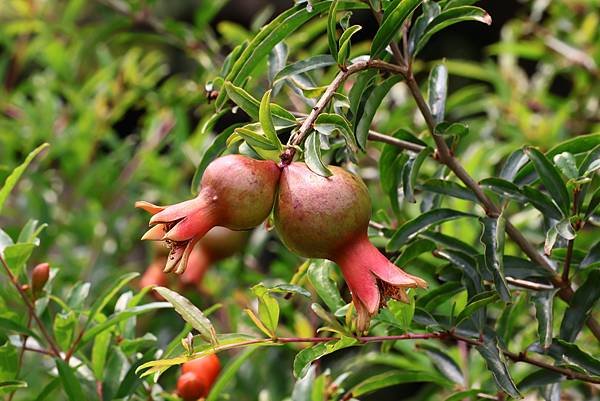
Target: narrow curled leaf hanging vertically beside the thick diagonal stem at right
492, 238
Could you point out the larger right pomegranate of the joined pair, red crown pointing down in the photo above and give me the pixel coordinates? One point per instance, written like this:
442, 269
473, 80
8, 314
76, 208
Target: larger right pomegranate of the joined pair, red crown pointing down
319, 217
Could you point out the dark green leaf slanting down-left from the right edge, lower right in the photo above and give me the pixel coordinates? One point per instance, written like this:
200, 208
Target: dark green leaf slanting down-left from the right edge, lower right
581, 305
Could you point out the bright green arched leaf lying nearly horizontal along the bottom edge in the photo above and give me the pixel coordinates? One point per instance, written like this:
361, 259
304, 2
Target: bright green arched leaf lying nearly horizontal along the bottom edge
393, 378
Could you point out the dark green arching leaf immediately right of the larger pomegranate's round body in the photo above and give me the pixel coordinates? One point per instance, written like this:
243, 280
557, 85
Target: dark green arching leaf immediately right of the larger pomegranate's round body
412, 228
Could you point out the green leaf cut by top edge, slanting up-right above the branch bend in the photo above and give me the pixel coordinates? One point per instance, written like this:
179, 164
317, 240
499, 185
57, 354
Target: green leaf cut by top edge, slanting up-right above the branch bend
395, 14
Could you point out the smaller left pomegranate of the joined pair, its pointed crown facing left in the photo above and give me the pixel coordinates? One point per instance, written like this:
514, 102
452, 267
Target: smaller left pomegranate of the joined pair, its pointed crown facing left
236, 192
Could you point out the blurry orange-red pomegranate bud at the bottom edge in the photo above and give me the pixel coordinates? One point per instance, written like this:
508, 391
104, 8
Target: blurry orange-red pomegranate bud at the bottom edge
197, 377
